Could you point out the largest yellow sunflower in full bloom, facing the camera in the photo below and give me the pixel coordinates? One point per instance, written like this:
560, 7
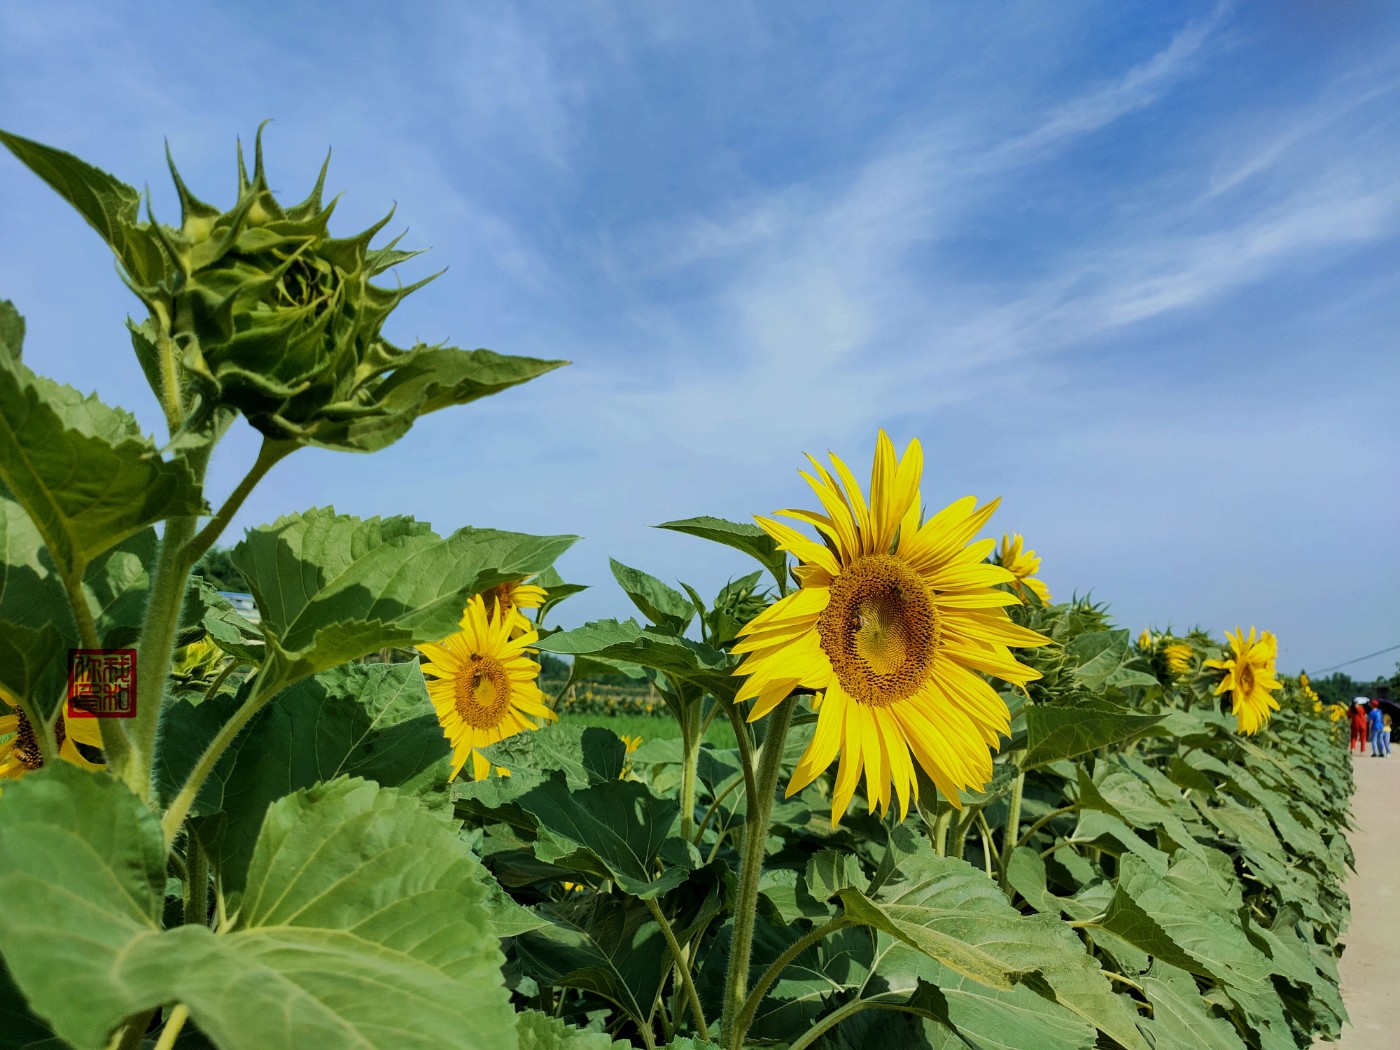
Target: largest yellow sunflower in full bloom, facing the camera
894, 621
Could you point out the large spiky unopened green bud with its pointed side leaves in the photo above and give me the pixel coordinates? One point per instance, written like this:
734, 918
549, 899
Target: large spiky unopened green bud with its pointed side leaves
261, 311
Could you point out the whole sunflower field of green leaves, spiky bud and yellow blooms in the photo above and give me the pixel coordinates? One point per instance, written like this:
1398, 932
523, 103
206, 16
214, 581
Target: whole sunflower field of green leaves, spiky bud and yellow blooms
958, 814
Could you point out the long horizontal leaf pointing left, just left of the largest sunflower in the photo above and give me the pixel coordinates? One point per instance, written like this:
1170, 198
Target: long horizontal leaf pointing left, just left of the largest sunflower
671, 654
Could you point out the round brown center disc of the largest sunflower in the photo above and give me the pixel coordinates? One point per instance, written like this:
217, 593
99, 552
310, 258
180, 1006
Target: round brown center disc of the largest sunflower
880, 631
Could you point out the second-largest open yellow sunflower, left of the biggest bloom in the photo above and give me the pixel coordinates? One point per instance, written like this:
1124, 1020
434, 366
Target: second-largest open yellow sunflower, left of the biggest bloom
482, 684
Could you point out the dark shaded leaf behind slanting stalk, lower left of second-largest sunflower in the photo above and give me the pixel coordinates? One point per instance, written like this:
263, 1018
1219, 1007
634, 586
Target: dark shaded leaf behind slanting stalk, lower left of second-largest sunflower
373, 722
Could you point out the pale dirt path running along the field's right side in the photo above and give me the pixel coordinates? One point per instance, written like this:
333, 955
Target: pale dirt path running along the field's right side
1374, 940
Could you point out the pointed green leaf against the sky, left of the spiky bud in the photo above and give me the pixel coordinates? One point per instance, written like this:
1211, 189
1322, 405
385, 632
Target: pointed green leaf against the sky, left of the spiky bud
108, 205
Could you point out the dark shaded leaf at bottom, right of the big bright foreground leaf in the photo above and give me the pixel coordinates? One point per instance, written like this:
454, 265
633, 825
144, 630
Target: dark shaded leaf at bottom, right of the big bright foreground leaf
607, 946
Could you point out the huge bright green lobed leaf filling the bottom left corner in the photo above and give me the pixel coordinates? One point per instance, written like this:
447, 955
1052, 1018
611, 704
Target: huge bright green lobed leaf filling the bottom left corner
353, 890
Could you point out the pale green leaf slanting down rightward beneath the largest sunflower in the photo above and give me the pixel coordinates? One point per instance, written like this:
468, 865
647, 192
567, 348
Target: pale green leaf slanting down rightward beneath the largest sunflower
955, 916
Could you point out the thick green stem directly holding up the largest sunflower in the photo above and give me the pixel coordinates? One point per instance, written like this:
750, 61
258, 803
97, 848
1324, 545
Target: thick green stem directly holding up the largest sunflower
751, 869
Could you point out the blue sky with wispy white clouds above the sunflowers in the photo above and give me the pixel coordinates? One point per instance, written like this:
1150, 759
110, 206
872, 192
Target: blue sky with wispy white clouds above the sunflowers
1132, 267
